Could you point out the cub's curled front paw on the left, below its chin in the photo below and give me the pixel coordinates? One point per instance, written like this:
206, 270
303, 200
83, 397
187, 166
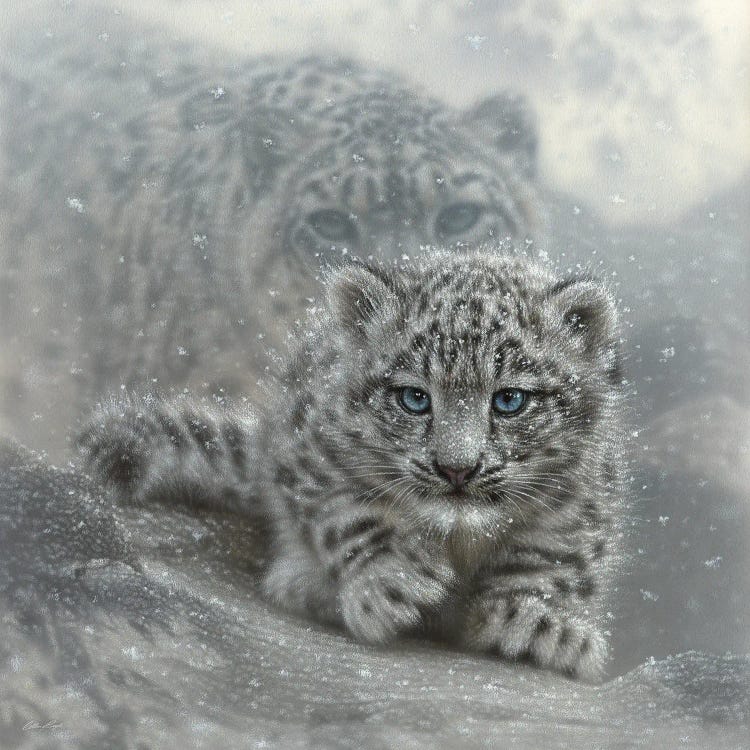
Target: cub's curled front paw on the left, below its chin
390, 597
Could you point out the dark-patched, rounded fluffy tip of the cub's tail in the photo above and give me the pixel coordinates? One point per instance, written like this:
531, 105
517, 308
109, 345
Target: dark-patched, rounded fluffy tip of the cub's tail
117, 446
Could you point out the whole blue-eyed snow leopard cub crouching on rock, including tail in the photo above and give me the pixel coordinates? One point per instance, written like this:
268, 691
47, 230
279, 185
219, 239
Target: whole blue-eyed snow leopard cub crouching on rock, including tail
441, 456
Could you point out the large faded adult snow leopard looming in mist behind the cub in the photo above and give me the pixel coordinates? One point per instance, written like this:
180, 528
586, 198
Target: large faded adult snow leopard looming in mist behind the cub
165, 218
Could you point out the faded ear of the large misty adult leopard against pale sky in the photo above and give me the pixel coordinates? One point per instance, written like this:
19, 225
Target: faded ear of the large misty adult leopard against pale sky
508, 122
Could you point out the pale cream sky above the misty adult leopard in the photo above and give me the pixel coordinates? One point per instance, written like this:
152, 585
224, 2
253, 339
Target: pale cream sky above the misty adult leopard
644, 109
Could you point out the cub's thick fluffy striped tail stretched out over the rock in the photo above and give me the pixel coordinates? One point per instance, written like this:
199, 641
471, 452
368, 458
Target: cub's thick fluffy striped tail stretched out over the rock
179, 451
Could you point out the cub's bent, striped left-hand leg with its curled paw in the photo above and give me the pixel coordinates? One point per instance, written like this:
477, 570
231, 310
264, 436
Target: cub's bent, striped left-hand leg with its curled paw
344, 564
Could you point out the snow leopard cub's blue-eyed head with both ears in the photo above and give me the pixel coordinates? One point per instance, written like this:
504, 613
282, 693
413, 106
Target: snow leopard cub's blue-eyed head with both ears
483, 391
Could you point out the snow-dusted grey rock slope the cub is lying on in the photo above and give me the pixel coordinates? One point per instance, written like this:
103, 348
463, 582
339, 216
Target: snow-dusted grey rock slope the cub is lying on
123, 652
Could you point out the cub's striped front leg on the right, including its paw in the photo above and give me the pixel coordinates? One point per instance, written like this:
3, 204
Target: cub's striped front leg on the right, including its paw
540, 606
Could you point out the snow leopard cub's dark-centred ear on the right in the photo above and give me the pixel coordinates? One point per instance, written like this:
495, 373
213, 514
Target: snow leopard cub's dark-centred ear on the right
585, 311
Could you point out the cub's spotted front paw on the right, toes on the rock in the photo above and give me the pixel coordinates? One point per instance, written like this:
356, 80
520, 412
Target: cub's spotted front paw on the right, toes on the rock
527, 628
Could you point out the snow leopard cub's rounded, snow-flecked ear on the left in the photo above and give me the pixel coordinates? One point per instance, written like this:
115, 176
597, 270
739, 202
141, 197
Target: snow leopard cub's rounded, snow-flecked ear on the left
360, 296
